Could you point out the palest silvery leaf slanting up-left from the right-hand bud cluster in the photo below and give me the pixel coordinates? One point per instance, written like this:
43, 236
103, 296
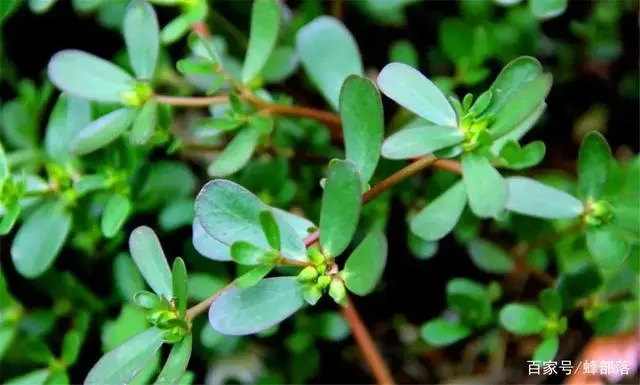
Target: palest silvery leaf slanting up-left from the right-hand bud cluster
412, 90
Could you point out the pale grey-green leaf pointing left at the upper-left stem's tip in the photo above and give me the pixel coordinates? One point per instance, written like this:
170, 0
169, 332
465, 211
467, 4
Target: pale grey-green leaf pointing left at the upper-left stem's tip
87, 76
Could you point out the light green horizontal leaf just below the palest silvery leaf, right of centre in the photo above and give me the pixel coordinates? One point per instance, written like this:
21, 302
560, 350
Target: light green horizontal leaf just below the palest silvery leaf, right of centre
417, 141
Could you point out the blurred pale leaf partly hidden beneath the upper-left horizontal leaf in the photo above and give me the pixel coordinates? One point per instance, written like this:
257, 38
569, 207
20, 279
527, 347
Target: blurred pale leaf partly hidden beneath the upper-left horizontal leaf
69, 115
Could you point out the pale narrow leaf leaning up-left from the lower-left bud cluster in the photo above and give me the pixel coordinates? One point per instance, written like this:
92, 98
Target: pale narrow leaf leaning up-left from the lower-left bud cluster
147, 253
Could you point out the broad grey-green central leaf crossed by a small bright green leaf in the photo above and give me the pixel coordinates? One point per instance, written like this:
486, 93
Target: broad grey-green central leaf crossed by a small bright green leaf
229, 213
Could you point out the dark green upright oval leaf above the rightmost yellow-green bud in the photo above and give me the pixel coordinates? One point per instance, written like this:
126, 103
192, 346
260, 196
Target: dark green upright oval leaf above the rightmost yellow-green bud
594, 160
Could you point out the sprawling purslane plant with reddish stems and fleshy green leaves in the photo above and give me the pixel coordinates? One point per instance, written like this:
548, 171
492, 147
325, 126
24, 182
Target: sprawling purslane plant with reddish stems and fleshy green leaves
107, 121
